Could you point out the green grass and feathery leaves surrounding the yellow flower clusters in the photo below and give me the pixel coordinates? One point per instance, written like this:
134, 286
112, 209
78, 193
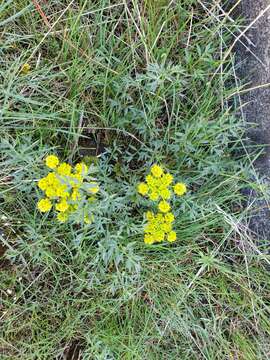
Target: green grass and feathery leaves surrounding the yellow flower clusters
127, 84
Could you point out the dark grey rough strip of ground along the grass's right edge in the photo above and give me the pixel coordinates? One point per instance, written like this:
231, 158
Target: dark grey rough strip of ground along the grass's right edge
254, 69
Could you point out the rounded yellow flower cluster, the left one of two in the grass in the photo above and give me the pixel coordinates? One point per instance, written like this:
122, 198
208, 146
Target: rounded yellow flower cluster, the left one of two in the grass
65, 187
